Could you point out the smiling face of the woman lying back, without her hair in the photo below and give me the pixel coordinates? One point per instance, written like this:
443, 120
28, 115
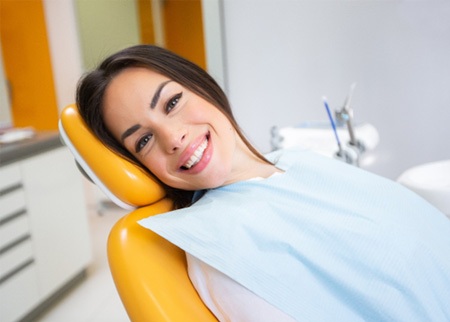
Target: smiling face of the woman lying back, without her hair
181, 138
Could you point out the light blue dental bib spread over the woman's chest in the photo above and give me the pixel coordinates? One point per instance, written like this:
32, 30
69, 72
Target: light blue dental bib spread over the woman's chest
323, 241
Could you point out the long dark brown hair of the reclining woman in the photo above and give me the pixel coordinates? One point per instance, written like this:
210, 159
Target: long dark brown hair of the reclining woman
92, 86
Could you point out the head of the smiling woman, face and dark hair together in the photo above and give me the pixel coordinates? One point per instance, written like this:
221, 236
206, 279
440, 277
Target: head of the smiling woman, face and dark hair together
139, 77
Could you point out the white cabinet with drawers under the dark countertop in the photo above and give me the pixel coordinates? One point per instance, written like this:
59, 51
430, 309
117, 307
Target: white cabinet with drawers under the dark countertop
44, 237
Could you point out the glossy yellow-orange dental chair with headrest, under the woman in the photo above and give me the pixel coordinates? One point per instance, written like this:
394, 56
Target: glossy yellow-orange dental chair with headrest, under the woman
149, 272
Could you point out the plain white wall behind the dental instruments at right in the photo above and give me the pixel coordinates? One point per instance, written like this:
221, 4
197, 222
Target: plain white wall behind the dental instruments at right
283, 56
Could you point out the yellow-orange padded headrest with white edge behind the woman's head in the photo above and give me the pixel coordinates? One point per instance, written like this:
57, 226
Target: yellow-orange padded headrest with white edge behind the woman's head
123, 182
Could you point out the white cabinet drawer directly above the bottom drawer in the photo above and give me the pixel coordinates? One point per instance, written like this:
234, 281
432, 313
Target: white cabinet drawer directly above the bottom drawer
15, 257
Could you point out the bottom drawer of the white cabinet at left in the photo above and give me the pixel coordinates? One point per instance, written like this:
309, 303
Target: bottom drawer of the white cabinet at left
19, 294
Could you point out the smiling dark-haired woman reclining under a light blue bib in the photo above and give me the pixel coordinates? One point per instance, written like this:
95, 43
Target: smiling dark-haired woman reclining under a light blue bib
294, 236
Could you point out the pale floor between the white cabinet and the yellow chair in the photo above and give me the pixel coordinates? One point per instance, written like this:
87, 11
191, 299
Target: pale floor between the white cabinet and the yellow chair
94, 299
